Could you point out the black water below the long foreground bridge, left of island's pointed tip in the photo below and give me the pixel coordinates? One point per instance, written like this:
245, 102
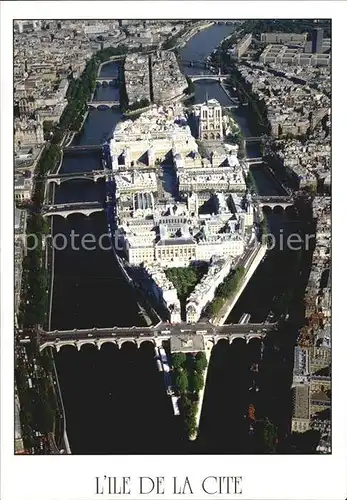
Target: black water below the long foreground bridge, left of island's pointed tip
122, 404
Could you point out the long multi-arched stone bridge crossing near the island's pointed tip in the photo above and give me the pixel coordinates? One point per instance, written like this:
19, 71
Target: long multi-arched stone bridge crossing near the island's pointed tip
186, 337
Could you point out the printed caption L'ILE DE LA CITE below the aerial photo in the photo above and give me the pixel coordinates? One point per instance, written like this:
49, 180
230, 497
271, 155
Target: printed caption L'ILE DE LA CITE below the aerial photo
160, 485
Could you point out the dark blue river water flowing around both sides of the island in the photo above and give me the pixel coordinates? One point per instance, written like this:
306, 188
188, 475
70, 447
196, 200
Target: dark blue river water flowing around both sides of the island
115, 400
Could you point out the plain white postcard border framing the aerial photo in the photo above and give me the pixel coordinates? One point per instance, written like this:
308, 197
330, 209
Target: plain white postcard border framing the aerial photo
265, 477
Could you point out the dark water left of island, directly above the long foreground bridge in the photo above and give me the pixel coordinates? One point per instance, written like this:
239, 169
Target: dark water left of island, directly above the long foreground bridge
89, 288
